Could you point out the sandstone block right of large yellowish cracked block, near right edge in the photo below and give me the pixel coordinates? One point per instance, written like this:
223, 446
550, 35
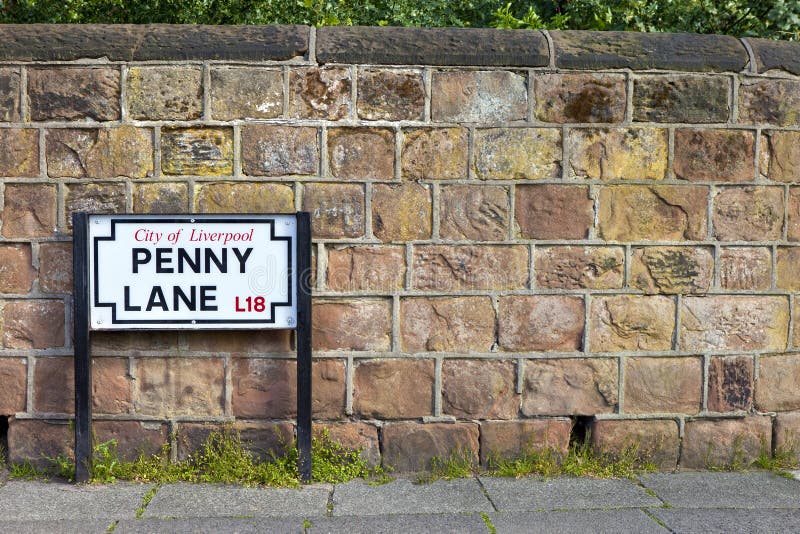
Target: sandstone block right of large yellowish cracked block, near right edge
748, 213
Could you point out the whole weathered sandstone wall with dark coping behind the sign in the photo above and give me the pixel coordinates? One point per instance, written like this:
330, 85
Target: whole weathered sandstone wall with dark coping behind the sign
514, 231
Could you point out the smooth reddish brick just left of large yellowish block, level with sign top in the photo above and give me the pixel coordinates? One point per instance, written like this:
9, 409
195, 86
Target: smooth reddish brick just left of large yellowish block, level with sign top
553, 211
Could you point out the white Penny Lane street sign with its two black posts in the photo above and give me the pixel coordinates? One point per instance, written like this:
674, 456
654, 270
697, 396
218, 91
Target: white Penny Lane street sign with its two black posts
191, 272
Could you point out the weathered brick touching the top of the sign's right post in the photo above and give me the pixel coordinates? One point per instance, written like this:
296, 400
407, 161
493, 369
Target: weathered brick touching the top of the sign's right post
337, 210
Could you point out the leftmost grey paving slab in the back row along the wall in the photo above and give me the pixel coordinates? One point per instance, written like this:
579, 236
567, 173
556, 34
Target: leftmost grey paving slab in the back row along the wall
43, 501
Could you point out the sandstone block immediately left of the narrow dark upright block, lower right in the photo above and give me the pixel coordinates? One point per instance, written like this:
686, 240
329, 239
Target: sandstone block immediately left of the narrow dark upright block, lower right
663, 385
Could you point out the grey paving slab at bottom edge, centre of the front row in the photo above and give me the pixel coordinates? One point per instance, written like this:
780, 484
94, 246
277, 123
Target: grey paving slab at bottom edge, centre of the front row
461, 523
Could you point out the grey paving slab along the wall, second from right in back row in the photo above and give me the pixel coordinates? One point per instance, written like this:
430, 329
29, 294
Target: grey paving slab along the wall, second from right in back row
532, 494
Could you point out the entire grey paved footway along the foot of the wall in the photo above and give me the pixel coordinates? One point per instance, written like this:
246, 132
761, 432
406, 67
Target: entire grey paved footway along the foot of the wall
681, 502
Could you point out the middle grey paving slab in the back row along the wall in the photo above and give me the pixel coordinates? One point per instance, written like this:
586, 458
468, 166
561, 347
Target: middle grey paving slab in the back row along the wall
403, 497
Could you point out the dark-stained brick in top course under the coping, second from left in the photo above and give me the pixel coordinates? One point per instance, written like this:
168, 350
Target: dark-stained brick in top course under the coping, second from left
74, 93
